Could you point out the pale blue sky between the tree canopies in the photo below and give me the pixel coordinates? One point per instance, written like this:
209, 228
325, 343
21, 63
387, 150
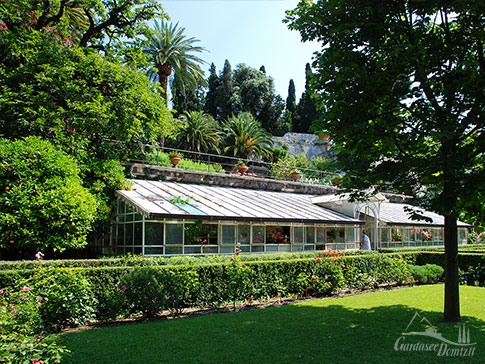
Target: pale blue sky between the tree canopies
250, 32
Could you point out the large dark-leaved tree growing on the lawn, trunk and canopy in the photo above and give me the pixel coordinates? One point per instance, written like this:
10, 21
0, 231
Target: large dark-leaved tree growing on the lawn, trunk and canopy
402, 87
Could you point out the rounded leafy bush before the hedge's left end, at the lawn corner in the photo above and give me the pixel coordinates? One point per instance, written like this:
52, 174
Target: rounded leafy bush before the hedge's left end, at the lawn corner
68, 297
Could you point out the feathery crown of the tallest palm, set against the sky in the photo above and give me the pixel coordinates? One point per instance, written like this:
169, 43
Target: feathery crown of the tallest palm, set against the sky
170, 50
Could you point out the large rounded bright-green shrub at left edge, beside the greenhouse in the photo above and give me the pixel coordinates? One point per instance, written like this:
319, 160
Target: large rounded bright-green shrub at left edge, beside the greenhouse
42, 201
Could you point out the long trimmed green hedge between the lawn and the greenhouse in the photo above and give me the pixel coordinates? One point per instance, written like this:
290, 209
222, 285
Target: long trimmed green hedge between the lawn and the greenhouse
213, 284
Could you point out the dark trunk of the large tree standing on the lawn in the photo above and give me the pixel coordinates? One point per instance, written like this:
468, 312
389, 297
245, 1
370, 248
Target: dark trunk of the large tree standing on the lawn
452, 298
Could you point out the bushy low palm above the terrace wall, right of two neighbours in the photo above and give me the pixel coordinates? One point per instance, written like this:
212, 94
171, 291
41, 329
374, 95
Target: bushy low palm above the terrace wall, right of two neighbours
244, 136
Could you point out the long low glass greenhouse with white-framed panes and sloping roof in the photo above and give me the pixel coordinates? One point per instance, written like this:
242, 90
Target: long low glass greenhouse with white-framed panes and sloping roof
176, 217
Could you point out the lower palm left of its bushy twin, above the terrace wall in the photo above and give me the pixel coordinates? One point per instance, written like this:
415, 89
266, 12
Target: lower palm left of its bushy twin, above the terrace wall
199, 132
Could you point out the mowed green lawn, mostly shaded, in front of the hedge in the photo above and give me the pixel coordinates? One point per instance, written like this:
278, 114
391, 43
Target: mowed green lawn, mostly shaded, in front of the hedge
353, 329
